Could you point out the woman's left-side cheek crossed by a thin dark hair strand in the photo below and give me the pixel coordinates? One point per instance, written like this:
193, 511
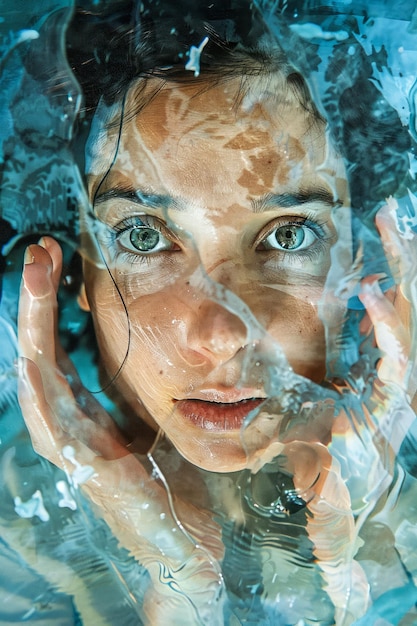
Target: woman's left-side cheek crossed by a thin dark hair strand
137, 343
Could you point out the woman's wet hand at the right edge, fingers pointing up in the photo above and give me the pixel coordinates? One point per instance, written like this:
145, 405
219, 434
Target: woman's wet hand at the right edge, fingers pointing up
390, 317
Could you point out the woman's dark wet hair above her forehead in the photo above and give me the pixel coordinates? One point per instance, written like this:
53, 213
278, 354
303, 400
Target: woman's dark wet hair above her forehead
110, 53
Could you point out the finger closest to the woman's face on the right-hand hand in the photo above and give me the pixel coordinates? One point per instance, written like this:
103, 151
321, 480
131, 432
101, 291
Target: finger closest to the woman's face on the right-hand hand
391, 336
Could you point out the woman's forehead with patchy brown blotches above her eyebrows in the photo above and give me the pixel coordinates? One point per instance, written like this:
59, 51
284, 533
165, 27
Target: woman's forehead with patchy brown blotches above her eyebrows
247, 135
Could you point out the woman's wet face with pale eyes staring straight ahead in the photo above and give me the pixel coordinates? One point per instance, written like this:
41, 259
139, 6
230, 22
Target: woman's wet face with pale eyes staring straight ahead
216, 212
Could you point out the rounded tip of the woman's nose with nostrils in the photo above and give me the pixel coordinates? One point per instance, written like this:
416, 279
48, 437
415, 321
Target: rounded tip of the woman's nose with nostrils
217, 334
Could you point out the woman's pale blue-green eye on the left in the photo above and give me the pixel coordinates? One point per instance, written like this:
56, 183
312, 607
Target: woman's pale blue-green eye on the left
144, 236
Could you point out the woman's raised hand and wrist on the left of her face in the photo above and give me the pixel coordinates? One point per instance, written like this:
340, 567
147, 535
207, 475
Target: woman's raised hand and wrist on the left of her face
71, 429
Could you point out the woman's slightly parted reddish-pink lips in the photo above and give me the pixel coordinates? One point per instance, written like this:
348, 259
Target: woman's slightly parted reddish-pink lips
217, 416
